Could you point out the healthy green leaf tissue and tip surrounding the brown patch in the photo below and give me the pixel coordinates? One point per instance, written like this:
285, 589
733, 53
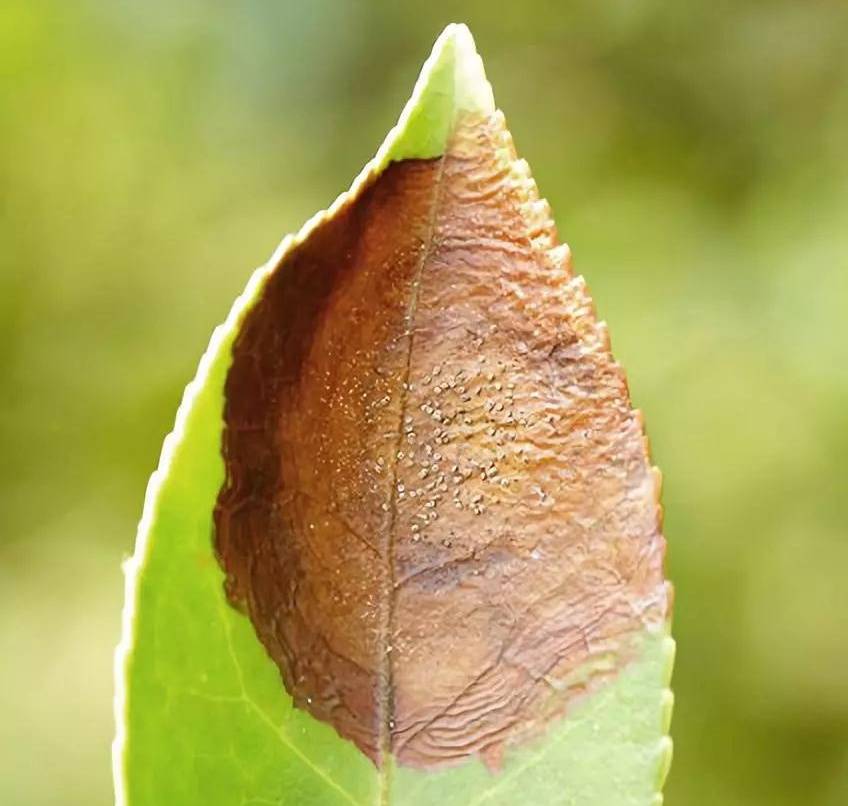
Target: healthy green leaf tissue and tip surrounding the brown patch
201, 712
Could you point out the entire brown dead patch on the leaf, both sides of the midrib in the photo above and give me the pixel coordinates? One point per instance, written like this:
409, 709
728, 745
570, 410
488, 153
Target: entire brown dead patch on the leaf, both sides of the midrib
439, 511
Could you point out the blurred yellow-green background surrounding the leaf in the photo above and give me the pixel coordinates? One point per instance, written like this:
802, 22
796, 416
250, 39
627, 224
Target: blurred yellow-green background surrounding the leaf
695, 156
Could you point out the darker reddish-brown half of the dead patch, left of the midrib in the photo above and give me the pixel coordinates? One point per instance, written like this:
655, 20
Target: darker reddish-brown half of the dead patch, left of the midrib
312, 400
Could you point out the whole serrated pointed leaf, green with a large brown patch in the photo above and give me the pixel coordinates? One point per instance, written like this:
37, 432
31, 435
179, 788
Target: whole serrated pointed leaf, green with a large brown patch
403, 543
